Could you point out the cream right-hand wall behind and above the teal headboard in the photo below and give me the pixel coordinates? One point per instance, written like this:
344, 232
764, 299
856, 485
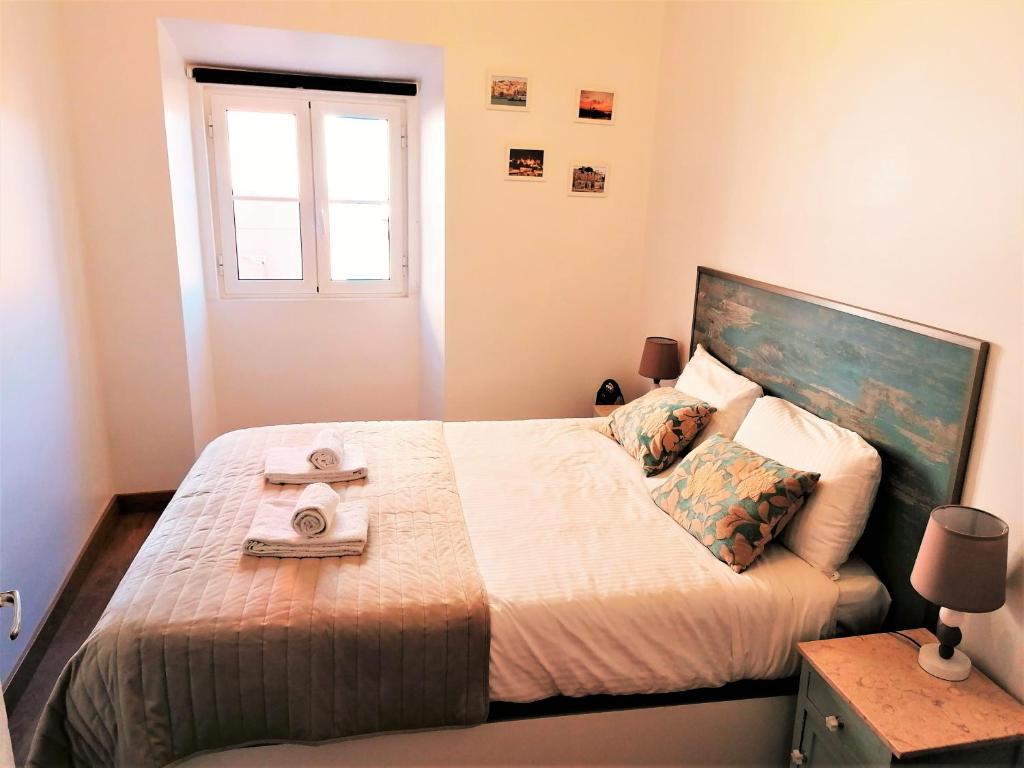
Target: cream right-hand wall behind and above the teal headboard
871, 153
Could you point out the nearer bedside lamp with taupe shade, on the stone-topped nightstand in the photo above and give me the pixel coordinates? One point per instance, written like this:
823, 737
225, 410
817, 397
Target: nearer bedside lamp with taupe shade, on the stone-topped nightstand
961, 568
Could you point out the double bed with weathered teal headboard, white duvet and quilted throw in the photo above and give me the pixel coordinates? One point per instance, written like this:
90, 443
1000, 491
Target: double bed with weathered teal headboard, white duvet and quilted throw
507, 563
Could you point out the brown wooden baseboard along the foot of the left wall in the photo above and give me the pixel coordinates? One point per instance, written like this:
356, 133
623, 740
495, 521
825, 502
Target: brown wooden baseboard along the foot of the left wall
120, 504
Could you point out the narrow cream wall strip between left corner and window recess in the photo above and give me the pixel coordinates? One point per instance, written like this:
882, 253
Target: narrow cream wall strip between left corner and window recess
119, 148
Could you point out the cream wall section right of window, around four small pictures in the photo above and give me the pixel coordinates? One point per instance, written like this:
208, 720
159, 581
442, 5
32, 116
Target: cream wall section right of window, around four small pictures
540, 285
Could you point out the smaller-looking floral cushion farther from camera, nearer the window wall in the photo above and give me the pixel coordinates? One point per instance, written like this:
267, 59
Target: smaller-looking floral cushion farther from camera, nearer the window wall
656, 429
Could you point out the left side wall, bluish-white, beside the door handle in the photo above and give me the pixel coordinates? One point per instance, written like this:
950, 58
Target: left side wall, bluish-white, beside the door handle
55, 468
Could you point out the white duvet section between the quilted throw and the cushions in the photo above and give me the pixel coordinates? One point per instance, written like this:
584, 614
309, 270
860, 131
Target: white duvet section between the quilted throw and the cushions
594, 590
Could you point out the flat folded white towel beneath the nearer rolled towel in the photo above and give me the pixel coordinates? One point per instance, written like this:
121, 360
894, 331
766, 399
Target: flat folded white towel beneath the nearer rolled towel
272, 536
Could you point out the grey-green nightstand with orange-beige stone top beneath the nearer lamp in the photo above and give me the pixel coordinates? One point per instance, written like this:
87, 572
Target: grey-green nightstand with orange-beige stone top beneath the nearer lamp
865, 701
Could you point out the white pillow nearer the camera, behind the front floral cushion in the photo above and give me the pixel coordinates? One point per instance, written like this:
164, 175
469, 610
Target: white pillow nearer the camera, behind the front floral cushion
825, 532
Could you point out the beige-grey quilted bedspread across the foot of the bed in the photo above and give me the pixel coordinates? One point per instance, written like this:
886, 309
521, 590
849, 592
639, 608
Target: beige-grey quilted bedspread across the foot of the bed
202, 648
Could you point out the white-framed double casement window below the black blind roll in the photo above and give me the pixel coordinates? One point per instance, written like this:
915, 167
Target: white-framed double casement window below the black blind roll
310, 193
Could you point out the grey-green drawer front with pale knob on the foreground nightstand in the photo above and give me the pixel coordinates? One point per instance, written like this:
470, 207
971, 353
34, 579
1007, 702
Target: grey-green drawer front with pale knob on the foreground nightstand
852, 739
